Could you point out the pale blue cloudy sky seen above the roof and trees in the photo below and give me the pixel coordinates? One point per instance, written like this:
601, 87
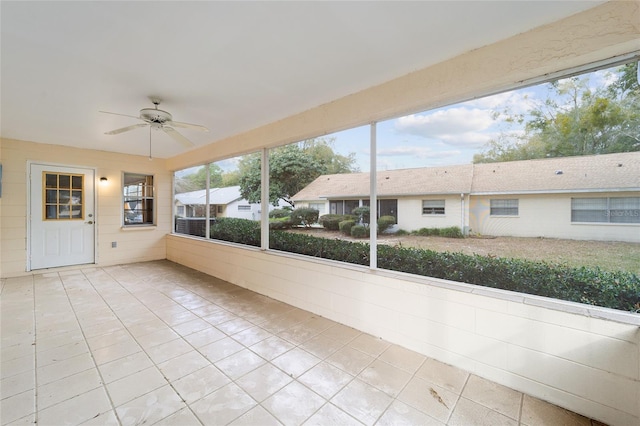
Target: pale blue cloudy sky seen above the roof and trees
445, 136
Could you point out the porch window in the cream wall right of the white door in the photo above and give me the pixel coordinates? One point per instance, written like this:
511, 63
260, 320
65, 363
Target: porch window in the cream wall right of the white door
138, 199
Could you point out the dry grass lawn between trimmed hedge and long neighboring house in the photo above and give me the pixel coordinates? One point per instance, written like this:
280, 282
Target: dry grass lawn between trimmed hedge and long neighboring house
613, 256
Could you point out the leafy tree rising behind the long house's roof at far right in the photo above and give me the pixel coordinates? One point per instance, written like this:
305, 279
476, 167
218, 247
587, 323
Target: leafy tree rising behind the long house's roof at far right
574, 119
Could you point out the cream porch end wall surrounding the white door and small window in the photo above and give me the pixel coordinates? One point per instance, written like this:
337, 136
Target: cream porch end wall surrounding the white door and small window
134, 244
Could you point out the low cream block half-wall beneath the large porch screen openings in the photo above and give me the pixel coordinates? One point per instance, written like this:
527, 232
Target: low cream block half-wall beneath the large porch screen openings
557, 351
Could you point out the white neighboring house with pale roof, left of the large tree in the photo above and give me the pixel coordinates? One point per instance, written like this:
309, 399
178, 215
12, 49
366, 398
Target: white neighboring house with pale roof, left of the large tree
224, 202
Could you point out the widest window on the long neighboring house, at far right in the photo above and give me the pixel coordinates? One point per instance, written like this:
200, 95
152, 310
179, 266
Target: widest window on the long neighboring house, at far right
606, 210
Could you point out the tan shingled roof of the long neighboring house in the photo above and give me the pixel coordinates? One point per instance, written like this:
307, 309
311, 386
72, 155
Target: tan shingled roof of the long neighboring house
568, 174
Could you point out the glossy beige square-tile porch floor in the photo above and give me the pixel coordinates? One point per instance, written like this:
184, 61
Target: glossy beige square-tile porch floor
158, 343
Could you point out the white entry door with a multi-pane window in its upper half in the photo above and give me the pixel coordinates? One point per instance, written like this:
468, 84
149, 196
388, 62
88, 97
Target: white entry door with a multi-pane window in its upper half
61, 216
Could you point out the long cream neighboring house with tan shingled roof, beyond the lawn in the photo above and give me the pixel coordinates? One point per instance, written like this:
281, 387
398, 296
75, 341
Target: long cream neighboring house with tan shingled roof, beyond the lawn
585, 198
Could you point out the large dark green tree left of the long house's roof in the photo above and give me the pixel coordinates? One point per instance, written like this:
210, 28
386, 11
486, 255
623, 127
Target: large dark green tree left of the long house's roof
291, 168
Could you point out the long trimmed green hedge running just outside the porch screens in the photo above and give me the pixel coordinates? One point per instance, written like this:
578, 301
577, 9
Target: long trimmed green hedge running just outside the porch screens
593, 286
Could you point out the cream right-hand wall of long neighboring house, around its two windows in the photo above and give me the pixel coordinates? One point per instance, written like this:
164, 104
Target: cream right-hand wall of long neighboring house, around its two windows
549, 216
